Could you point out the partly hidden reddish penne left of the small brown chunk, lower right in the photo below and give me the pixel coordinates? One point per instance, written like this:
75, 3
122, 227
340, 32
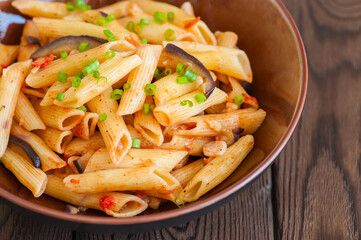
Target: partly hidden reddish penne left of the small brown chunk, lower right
193, 145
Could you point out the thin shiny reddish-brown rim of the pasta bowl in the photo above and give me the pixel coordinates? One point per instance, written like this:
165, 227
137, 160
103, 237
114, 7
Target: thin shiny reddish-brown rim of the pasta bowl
200, 204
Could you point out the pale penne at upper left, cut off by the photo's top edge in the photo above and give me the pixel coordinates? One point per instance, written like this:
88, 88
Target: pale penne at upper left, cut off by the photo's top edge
40, 8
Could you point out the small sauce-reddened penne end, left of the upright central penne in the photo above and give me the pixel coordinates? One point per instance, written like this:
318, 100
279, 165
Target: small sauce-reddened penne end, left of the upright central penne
86, 128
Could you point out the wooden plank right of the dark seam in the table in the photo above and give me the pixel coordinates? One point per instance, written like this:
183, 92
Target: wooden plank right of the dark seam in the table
317, 177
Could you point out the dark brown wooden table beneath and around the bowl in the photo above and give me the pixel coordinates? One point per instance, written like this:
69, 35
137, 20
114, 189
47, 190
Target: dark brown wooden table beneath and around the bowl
313, 191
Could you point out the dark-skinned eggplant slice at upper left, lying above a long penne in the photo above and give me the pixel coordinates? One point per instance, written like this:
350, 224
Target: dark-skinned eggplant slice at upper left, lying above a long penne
66, 44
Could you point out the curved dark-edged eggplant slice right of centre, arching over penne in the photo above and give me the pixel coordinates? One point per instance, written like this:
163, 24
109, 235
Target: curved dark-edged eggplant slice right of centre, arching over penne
194, 65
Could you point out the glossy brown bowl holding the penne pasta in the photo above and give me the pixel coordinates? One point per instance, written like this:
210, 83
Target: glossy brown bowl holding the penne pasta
269, 36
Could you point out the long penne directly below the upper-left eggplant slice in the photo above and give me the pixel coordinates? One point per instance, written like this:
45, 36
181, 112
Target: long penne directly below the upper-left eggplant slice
48, 75
